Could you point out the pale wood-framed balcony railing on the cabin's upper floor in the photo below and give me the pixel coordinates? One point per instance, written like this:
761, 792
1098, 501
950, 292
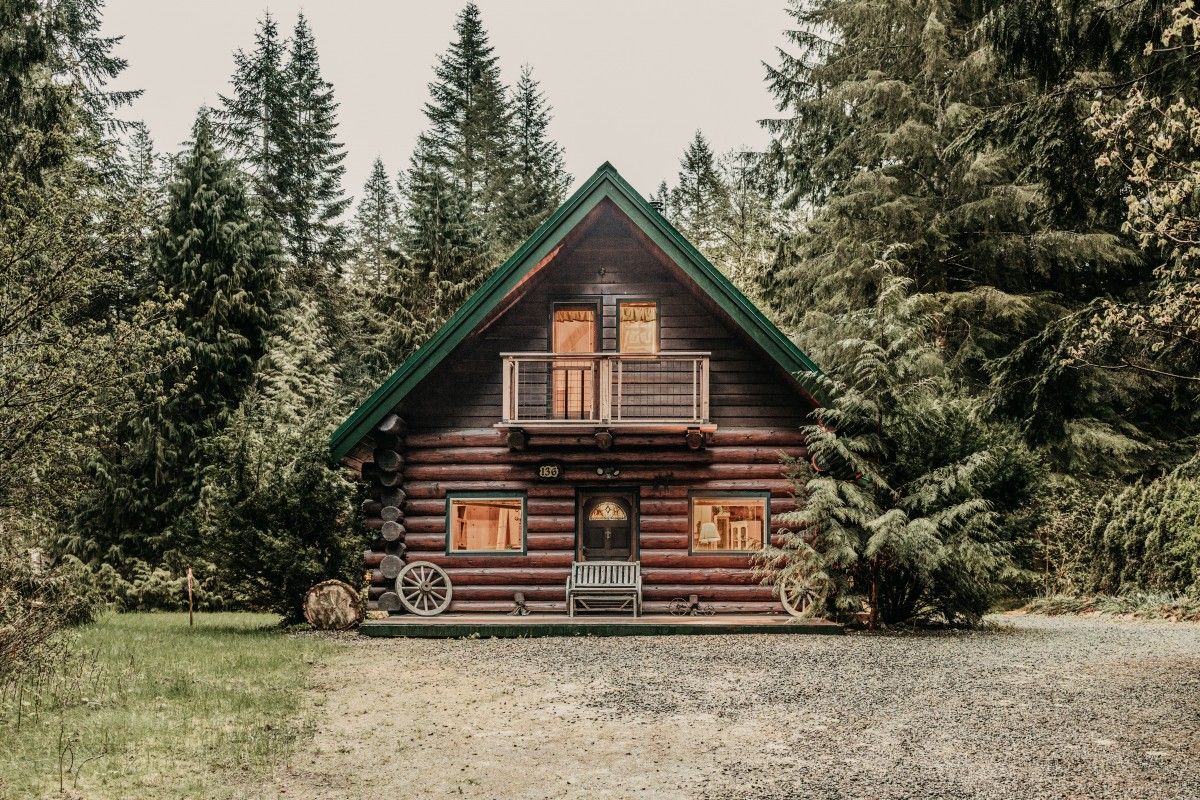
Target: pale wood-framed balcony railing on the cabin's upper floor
607, 389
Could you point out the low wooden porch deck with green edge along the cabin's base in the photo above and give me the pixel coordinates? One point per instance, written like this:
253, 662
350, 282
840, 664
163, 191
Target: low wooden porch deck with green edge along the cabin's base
452, 627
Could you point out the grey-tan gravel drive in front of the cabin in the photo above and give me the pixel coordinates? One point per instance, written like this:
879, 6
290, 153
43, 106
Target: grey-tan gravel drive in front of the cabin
1031, 708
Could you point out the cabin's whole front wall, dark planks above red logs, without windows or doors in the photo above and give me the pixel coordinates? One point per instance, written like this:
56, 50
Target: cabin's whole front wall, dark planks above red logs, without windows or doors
452, 446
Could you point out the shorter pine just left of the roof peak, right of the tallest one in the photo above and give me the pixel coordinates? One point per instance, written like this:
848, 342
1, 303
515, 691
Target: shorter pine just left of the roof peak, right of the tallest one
541, 181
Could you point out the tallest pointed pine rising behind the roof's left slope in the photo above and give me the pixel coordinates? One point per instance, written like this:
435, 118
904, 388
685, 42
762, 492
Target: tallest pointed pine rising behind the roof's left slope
471, 129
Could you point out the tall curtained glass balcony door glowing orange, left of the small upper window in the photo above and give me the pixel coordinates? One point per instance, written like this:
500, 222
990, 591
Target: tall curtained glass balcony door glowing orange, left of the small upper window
574, 381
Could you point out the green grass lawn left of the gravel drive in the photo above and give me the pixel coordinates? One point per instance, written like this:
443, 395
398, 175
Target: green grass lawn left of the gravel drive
148, 708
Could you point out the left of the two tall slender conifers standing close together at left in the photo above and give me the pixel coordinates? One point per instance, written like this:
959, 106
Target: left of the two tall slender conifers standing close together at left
255, 121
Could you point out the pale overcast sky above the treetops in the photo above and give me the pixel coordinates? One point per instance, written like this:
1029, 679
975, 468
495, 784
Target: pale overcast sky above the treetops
631, 81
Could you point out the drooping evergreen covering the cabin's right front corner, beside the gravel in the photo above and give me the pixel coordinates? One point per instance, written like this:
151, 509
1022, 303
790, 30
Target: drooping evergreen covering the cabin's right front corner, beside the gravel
915, 506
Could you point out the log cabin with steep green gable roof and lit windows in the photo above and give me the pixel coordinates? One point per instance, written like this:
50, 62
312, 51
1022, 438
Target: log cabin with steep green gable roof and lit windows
607, 395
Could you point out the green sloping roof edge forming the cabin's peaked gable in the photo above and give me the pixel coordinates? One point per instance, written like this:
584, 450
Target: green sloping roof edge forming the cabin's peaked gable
605, 184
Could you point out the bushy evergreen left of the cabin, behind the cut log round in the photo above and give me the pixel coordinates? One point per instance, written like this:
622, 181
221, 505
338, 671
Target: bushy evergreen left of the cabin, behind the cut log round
277, 518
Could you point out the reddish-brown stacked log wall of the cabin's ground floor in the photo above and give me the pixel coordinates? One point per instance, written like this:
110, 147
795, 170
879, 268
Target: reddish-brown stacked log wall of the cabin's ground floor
439, 465
